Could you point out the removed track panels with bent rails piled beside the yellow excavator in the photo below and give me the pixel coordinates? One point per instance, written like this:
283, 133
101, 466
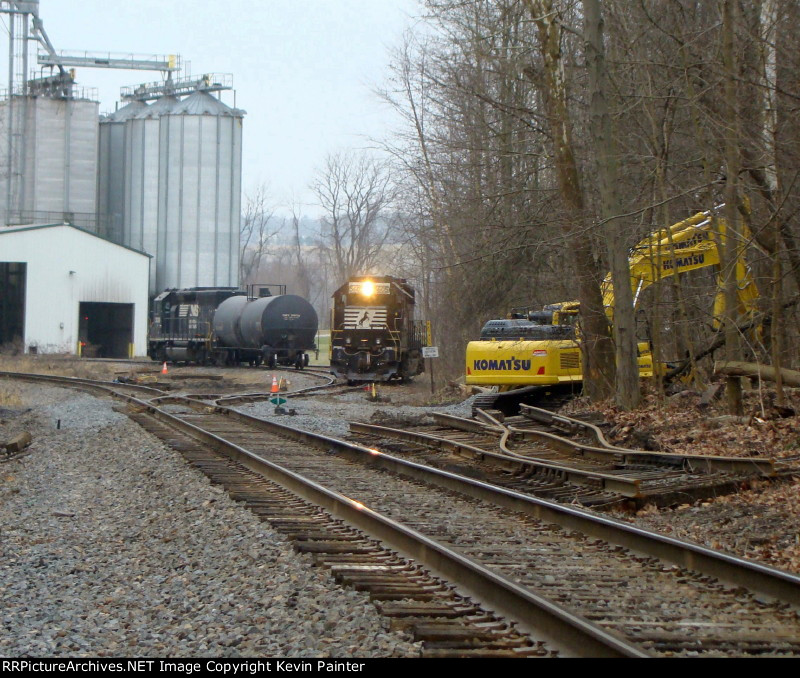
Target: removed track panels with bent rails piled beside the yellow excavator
531, 454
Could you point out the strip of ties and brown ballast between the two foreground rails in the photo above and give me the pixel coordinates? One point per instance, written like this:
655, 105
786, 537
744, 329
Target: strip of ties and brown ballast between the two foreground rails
639, 599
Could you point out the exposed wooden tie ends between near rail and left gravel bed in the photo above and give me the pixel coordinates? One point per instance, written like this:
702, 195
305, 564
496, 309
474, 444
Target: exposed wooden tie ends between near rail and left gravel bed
432, 611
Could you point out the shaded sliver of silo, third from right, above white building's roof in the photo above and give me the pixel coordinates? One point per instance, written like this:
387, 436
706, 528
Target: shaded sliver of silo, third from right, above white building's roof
111, 171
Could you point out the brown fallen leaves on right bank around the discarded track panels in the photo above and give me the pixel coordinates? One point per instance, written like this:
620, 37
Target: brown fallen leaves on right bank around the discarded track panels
762, 521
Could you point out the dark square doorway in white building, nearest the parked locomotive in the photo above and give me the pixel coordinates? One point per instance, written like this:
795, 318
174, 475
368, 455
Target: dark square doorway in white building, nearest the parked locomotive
105, 330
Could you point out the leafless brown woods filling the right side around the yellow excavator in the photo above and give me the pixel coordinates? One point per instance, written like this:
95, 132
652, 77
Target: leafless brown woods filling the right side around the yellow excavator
500, 165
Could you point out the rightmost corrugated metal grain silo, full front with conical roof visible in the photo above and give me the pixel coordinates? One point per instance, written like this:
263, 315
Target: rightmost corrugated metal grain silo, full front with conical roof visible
200, 194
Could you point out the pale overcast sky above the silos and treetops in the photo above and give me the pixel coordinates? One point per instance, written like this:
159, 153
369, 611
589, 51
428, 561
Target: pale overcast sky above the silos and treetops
303, 70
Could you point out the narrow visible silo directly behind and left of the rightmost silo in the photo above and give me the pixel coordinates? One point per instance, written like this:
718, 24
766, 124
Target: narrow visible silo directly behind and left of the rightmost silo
141, 182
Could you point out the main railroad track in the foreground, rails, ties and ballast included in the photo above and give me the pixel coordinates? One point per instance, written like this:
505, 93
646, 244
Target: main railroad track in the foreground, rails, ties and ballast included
548, 577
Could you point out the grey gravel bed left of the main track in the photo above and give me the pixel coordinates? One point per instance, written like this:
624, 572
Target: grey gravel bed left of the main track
111, 545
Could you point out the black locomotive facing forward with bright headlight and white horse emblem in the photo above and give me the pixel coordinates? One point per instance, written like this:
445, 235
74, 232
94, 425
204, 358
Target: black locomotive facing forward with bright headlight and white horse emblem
374, 336
